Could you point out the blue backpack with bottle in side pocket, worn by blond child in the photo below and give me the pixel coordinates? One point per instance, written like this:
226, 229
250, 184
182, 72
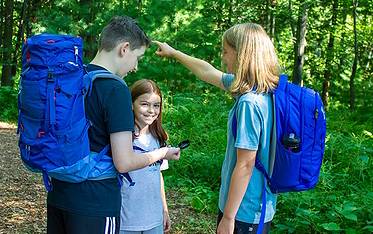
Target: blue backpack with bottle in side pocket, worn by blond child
297, 141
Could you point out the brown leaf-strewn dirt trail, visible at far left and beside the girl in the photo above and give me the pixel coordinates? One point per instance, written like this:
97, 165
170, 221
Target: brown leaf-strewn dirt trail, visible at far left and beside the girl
23, 196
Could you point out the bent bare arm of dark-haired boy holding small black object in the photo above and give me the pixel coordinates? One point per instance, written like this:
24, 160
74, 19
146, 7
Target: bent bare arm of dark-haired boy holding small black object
126, 160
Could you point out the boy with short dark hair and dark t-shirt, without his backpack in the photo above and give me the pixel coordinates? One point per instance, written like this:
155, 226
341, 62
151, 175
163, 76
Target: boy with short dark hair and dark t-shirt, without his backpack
93, 206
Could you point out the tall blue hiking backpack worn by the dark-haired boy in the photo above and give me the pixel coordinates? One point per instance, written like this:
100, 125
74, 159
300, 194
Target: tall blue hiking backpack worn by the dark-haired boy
52, 125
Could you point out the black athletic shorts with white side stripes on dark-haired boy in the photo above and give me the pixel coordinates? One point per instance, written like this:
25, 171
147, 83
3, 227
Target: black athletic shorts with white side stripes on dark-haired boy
65, 222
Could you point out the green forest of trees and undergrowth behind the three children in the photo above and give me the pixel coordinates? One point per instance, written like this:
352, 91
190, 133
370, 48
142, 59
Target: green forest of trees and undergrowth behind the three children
322, 44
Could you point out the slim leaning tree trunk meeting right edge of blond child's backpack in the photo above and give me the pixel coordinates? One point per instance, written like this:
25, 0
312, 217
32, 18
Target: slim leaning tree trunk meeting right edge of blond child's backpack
329, 56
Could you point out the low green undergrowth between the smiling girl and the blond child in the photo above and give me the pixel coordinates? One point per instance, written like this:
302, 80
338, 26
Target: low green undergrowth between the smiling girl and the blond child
199, 118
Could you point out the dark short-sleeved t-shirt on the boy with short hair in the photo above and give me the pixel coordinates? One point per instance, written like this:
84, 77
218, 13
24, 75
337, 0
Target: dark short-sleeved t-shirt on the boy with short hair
109, 108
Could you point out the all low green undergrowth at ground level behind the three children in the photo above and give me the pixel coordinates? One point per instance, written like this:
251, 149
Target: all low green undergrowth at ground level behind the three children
341, 202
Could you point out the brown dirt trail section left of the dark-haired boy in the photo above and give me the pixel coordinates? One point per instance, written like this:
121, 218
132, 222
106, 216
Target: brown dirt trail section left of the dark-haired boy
22, 195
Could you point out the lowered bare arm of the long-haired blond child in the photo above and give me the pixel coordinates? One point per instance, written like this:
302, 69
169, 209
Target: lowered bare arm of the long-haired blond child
239, 181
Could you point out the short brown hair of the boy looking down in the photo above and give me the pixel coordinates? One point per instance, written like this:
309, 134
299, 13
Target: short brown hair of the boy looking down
122, 29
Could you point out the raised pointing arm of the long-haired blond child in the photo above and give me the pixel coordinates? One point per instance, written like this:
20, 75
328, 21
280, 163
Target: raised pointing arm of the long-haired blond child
202, 69
